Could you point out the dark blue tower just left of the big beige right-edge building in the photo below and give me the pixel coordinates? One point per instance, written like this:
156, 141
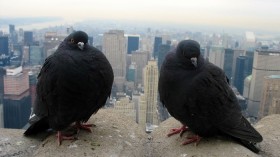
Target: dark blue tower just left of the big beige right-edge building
240, 73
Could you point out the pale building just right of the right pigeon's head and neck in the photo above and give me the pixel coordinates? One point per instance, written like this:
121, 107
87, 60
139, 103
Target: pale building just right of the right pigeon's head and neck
216, 56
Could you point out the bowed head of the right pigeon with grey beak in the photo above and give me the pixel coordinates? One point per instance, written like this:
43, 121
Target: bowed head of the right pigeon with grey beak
190, 50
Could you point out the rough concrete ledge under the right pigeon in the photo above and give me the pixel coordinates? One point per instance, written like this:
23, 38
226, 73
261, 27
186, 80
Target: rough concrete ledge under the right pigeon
162, 145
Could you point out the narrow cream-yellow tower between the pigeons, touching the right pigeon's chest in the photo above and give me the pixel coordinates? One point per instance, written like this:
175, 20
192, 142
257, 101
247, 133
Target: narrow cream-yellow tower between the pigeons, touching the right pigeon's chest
151, 94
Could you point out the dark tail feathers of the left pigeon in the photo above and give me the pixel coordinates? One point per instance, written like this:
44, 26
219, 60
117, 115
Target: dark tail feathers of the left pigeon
37, 127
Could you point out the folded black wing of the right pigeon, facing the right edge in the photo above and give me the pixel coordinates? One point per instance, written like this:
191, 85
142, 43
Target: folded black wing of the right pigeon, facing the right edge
218, 102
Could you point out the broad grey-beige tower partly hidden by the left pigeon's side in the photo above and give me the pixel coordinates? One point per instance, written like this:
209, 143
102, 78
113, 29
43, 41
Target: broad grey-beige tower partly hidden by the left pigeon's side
114, 47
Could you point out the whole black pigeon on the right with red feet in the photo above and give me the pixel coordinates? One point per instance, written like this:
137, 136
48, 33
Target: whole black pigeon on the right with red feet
197, 93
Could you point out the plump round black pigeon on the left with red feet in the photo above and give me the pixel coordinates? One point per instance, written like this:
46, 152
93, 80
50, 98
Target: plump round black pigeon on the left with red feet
73, 84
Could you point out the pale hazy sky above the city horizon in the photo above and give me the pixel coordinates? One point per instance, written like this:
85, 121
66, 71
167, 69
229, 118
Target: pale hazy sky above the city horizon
260, 14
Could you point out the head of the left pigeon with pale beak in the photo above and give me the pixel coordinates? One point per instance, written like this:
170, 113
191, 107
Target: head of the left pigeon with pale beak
78, 38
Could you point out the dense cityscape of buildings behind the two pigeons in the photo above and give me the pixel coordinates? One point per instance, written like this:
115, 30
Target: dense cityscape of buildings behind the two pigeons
250, 61
